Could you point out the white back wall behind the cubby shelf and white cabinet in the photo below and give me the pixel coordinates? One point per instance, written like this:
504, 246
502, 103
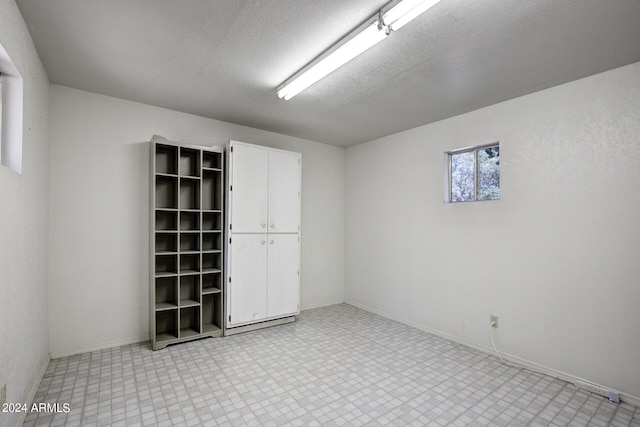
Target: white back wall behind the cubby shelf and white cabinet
99, 213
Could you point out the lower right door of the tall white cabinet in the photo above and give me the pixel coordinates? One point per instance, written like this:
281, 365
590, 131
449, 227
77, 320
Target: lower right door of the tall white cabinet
283, 291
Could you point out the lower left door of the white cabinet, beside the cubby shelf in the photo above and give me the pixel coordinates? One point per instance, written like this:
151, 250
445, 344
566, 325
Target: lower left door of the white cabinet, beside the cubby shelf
247, 291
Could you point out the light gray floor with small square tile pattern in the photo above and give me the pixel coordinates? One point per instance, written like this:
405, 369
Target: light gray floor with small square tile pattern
336, 365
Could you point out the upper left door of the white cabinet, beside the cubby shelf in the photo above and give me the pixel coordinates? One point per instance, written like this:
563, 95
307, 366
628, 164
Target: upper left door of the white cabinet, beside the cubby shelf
249, 189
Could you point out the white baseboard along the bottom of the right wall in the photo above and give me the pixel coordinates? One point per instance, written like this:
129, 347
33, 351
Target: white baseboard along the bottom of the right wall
527, 364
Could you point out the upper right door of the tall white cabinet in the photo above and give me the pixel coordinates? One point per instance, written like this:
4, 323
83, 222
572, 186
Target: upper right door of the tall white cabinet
284, 192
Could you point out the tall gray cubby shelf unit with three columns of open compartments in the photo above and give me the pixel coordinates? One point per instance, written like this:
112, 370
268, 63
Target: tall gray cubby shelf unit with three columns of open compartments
186, 237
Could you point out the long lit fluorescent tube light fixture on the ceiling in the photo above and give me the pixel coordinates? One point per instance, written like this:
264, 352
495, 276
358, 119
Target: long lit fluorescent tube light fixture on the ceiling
392, 17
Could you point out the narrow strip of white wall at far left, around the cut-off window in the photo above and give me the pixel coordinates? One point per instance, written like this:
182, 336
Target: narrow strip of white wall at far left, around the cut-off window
23, 228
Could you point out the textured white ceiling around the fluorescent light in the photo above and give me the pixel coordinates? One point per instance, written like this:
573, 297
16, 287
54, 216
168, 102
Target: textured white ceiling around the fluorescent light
223, 59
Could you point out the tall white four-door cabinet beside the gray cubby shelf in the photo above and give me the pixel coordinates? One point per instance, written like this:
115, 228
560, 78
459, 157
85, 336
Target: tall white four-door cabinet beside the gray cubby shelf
263, 257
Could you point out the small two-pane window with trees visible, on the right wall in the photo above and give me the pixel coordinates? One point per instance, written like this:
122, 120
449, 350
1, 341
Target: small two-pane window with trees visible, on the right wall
474, 174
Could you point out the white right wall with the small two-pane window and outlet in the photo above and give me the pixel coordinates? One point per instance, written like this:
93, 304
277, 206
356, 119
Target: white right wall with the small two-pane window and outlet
557, 258
